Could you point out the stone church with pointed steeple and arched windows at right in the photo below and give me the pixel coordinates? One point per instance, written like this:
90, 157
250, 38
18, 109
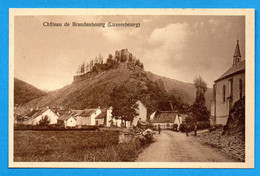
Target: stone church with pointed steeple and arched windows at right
228, 89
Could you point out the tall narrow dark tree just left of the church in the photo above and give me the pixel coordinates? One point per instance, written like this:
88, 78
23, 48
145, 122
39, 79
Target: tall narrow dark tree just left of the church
198, 109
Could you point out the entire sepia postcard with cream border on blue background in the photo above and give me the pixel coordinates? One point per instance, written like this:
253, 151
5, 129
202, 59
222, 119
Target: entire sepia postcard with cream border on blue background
131, 88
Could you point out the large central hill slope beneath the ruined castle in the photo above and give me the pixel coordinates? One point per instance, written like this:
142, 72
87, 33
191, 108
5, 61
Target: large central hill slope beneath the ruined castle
96, 90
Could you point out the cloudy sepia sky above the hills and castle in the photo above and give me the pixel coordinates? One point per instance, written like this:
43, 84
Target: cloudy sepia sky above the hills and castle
178, 47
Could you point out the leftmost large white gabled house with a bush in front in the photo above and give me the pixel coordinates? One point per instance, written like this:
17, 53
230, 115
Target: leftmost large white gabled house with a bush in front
34, 116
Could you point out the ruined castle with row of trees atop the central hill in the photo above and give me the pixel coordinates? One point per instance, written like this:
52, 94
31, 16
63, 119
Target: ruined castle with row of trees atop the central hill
97, 65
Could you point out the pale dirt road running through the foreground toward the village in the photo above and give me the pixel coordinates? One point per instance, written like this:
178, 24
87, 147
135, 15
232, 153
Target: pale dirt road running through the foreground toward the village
176, 147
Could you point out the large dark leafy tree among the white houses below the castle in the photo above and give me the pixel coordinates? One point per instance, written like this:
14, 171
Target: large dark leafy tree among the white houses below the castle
123, 103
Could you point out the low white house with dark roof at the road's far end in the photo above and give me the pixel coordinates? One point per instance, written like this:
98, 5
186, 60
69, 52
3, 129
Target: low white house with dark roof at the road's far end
165, 119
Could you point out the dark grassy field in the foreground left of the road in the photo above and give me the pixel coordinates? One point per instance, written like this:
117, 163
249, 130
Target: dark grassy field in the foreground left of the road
72, 146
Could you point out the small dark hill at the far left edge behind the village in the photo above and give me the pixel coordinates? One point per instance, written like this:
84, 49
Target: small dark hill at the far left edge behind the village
24, 92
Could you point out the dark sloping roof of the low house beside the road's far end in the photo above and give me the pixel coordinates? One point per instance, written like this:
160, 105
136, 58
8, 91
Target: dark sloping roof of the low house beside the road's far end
164, 117
